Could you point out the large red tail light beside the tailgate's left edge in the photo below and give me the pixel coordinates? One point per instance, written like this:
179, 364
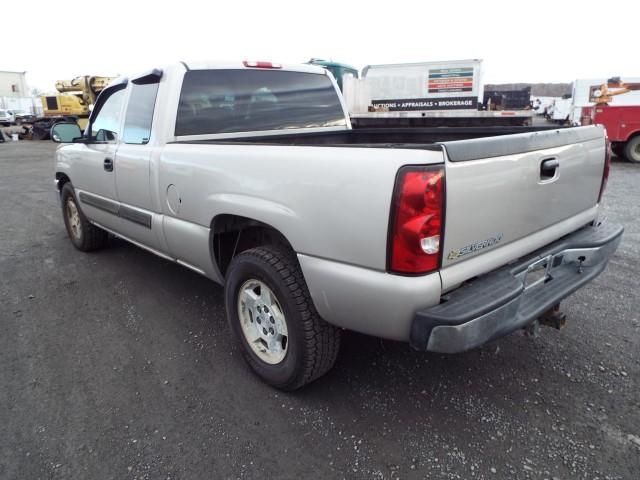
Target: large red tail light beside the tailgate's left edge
416, 222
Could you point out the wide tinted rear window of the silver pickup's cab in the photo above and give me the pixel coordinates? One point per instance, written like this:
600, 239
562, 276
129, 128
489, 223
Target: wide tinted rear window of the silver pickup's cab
226, 101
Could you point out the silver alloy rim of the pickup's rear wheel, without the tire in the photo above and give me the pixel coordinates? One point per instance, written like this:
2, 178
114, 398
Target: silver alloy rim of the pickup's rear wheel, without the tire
262, 320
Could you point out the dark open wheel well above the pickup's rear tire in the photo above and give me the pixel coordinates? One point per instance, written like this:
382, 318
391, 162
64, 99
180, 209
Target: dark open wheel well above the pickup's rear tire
233, 234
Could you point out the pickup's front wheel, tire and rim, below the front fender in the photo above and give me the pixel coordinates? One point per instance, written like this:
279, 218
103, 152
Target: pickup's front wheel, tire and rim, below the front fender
83, 234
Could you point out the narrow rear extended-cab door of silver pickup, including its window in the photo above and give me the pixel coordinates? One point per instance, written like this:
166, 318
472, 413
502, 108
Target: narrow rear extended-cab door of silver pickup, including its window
133, 165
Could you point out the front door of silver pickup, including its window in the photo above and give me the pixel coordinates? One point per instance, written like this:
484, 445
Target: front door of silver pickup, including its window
93, 161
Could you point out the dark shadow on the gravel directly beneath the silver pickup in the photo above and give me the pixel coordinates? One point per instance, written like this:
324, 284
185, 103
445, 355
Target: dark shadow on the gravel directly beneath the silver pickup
370, 369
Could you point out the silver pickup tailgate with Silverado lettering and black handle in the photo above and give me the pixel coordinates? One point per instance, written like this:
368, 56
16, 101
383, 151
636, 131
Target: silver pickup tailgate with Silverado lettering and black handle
503, 191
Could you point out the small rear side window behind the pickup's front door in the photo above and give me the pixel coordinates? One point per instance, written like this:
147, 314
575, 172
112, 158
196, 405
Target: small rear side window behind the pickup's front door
137, 123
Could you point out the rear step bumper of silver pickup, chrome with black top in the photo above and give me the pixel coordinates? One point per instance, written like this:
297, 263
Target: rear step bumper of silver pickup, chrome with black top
507, 299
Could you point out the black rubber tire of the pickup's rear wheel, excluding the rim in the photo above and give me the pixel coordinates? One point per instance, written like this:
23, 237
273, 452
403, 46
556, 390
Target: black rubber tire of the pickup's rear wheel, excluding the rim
312, 343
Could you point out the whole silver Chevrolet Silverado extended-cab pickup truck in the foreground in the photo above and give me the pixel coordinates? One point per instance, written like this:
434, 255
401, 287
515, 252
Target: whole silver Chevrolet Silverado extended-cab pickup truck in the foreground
249, 173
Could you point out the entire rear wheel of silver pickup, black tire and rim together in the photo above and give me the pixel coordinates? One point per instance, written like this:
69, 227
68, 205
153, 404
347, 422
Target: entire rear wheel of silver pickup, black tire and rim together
270, 311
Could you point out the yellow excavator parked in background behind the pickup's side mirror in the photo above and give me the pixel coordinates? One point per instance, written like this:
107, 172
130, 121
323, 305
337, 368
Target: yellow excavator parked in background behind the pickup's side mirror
71, 104
